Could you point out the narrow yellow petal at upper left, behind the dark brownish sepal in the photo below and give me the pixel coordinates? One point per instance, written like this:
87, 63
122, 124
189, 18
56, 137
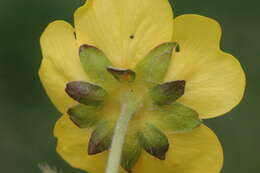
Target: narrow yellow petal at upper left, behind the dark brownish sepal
60, 63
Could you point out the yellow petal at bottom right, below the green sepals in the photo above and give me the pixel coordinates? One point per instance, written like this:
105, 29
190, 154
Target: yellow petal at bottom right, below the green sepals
198, 151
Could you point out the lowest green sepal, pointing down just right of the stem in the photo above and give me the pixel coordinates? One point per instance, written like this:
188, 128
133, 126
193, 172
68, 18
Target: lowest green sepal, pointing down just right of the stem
130, 154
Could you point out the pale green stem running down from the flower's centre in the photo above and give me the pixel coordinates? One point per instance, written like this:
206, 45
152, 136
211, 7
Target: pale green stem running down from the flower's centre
127, 111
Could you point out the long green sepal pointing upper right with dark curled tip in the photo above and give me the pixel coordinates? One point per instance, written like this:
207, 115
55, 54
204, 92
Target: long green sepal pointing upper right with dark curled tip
154, 66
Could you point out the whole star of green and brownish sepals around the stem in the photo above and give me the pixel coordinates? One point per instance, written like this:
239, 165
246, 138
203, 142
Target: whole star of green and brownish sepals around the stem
158, 110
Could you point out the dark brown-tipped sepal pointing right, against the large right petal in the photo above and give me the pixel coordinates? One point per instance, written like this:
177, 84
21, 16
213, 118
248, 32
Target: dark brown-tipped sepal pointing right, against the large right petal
166, 93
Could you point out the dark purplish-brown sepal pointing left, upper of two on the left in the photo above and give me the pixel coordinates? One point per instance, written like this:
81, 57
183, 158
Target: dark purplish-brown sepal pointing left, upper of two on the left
86, 93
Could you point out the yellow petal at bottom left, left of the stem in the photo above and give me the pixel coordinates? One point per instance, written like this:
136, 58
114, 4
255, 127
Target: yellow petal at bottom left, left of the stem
72, 145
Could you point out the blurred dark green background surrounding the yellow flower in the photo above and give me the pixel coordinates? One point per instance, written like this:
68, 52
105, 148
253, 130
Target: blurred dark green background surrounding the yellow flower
27, 116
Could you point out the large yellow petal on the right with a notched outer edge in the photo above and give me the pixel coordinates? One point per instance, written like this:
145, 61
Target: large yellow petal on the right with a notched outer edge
215, 79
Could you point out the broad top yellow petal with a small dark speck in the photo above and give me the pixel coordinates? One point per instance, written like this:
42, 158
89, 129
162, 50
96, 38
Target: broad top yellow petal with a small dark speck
124, 30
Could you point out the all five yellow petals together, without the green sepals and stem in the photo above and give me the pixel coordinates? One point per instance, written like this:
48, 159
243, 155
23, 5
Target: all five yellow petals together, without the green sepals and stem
126, 31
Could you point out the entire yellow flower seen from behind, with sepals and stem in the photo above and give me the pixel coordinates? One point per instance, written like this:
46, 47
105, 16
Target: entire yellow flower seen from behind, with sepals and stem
200, 76
